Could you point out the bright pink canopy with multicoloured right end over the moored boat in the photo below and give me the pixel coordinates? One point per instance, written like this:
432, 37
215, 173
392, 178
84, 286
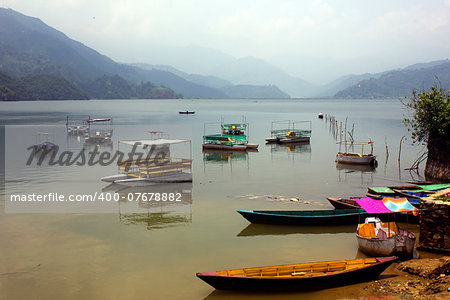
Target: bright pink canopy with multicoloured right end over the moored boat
387, 205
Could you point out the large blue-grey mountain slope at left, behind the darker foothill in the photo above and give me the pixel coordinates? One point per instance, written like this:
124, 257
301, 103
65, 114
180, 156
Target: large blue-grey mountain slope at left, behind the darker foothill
28, 46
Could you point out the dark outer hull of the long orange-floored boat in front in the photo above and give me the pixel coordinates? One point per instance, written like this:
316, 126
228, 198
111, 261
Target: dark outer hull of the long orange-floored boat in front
346, 277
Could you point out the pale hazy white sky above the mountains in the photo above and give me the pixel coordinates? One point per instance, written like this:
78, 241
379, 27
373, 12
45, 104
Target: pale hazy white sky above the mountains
303, 38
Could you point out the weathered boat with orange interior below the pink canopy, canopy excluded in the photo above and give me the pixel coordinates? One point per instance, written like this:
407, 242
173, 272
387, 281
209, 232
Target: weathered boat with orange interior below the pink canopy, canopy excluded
376, 238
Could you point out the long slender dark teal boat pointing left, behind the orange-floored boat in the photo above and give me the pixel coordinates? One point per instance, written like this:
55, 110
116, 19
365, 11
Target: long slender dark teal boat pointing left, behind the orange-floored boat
307, 217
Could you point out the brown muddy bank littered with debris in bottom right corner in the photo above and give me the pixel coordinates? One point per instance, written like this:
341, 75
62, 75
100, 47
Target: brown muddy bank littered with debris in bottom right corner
427, 278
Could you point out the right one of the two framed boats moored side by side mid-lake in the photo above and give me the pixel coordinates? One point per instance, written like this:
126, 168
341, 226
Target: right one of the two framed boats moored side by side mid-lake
289, 133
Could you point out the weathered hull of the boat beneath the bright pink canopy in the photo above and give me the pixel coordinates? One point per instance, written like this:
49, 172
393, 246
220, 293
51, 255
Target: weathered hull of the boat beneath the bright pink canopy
400, 245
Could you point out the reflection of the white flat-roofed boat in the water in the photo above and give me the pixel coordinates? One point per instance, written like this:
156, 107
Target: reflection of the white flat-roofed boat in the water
155, 206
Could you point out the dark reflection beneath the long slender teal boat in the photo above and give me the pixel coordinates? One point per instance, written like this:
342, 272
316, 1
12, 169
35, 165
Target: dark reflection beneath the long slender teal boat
264, 229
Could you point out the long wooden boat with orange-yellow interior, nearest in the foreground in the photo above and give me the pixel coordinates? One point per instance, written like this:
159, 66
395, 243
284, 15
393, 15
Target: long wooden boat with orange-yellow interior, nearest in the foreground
303, 276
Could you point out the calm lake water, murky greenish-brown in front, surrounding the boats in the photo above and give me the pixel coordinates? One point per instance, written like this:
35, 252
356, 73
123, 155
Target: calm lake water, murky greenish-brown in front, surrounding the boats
125, 251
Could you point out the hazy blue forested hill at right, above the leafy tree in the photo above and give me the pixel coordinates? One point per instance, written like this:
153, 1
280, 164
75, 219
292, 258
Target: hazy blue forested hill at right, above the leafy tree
401, 83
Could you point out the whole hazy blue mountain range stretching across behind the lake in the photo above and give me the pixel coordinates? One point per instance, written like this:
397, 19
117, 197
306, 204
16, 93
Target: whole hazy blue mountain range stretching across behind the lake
28, 46
